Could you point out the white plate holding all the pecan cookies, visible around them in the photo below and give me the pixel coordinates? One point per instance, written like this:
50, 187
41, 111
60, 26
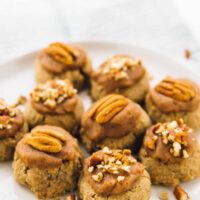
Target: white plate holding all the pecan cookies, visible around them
17, 78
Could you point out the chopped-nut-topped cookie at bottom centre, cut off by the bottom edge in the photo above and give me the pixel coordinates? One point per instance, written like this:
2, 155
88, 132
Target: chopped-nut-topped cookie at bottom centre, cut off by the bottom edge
115, 175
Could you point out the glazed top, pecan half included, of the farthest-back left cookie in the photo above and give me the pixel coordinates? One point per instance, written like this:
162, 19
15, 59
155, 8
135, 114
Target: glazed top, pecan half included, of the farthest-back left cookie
59, 57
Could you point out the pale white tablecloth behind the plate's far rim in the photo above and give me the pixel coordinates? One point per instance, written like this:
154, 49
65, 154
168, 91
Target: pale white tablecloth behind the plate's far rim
30, 24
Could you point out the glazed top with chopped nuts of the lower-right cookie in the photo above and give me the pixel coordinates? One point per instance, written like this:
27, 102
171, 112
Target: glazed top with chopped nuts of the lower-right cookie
170, 141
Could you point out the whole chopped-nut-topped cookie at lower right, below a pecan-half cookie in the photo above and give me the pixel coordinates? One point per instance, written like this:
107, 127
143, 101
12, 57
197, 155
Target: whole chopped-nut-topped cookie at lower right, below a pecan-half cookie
171, 153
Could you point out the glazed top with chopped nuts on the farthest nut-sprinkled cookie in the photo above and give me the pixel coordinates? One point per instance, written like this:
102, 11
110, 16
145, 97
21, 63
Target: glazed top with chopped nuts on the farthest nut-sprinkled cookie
119, 72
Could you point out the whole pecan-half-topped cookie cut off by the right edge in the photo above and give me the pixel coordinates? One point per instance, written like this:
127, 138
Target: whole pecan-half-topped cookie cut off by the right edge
172, 99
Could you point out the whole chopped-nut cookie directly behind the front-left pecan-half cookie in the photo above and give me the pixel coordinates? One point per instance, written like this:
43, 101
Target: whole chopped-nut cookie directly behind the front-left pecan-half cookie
55, 103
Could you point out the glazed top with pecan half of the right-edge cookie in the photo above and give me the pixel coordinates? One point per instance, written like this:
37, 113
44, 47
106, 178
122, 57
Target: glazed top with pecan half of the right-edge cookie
173, 95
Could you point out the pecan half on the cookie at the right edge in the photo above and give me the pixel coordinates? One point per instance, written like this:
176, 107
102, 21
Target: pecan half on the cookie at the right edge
177, 89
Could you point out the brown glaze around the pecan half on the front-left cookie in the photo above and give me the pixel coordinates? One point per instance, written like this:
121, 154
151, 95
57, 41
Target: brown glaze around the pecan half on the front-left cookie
35, 158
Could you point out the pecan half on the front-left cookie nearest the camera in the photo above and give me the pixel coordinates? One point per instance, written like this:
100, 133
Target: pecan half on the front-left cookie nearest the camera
46, 140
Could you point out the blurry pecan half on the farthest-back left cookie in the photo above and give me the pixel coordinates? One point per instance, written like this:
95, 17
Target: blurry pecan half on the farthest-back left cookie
62, 53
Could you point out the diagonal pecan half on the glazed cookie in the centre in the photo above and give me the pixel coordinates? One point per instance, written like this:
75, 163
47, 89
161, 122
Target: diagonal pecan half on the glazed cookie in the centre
106, 108
